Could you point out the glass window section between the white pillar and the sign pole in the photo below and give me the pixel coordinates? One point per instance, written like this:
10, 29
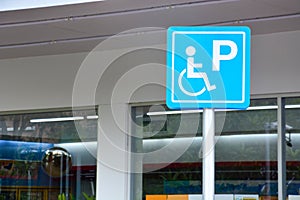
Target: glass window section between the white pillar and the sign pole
170, 144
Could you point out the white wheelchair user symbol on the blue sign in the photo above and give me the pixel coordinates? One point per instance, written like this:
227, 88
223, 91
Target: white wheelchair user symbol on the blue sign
191, 65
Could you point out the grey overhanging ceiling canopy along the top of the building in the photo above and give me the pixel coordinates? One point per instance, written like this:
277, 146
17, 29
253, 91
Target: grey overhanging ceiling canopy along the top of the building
80, 27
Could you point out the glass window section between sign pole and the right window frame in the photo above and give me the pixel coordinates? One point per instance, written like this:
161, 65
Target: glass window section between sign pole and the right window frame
246, 151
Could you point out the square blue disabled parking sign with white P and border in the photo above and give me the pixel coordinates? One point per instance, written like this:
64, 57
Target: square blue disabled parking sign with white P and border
208, 67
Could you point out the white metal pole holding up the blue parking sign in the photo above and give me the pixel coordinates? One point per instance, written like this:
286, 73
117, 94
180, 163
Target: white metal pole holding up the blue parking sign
208, 162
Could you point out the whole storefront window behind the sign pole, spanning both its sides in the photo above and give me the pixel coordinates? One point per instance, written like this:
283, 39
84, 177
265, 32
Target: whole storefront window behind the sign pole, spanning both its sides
246, 151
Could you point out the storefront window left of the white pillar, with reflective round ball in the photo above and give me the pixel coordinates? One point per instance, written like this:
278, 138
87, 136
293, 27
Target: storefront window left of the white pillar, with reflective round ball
48, 155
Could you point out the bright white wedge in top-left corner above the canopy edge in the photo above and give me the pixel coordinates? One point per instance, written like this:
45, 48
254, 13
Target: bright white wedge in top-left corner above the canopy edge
8, 5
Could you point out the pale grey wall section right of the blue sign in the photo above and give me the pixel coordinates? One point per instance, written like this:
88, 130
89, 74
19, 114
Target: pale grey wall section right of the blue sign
275, 63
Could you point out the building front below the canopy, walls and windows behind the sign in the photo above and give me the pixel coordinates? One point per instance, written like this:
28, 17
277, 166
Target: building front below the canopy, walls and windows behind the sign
112, 136
